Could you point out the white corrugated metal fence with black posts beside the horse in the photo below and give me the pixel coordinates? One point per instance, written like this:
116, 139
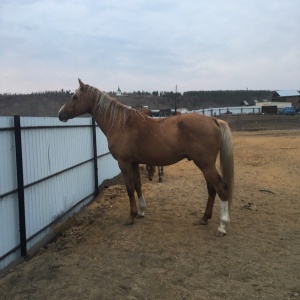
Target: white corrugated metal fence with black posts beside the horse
48, 170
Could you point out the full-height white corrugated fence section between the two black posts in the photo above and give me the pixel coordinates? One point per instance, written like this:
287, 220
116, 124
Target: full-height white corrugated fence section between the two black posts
46, 152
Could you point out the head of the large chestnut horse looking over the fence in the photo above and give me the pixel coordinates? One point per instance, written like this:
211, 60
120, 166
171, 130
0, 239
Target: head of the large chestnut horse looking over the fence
78, 104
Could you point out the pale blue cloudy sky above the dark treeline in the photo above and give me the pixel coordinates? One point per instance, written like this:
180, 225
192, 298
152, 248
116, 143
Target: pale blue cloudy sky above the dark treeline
150, 45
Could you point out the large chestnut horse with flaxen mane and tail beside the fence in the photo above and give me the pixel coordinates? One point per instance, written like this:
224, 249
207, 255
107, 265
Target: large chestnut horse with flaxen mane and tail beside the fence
134, 139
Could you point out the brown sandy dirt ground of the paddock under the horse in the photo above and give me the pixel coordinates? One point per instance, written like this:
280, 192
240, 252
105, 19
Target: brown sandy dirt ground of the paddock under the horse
165, 256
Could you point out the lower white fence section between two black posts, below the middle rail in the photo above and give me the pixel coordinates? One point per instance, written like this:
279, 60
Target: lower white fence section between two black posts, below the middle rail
48, 200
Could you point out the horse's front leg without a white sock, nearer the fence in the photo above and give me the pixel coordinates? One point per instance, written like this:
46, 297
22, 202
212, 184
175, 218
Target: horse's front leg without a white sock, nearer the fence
128, 174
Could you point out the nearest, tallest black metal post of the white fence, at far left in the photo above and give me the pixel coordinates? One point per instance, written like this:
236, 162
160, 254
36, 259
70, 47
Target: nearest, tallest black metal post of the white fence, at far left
20, 180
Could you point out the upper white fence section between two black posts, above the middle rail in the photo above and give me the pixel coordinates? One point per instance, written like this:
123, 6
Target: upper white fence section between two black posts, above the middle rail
46, 152
